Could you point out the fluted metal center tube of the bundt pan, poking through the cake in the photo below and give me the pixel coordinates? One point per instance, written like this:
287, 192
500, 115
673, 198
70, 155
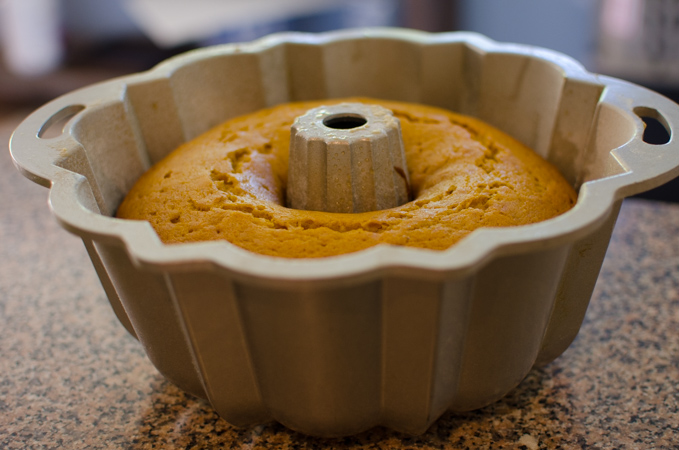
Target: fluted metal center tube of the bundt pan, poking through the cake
347, 158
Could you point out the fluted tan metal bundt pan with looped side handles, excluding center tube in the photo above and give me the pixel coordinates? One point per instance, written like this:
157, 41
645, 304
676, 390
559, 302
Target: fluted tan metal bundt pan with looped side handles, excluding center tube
390, 336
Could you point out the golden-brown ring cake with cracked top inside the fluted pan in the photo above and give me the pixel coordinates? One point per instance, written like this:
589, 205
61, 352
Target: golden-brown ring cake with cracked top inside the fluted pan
229, 183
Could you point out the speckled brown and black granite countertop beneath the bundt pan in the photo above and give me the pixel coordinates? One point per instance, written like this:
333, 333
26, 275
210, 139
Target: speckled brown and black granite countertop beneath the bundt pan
72, 377
